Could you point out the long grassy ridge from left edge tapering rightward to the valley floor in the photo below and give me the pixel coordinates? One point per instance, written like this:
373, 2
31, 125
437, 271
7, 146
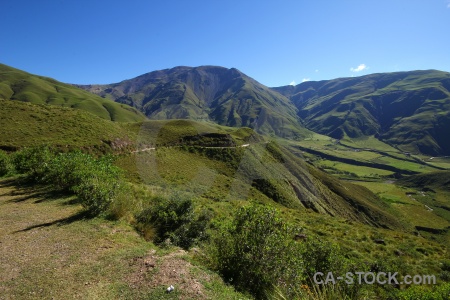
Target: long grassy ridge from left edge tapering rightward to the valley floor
264, 170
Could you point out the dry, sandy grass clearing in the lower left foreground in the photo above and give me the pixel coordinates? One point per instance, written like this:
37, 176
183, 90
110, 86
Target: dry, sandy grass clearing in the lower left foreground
48, 250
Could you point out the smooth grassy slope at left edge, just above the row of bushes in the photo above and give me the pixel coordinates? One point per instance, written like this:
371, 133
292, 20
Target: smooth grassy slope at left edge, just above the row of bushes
25, 125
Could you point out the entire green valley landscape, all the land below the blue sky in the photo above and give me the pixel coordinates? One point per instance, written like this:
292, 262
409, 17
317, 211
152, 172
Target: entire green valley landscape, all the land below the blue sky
181, 166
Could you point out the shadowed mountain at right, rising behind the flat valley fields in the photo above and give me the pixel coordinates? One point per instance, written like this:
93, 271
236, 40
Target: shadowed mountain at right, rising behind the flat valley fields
409, 110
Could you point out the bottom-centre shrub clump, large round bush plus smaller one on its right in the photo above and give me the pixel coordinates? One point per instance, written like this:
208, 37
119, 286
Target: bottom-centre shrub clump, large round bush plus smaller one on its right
257, 253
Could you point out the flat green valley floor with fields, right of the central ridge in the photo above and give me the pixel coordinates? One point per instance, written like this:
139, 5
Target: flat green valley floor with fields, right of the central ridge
406, 203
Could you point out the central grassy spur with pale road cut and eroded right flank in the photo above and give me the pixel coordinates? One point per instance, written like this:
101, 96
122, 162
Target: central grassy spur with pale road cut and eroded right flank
219, 163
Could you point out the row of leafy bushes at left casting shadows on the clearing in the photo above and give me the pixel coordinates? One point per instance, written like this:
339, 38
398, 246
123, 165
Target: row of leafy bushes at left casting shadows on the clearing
96, 182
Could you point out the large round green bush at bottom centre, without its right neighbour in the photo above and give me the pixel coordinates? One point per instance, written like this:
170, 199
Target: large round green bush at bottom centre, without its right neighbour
257, 252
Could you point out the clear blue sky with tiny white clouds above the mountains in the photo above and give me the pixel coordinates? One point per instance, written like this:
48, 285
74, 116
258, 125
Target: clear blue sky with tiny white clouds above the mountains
275, 42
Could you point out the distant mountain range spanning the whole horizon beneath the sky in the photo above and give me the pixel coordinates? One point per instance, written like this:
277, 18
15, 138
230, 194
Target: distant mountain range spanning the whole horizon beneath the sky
408, 110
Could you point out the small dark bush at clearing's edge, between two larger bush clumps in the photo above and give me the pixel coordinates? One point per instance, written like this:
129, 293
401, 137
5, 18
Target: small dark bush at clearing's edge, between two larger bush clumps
175, 219
